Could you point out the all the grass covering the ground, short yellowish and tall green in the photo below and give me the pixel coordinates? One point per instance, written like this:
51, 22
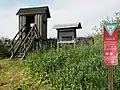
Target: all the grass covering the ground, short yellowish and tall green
79, 68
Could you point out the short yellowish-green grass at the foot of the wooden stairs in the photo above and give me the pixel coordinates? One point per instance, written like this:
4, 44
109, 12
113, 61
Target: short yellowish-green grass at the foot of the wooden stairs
13, 75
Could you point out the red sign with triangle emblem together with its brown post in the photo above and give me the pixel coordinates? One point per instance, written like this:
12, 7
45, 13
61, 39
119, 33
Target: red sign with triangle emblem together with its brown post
110, 51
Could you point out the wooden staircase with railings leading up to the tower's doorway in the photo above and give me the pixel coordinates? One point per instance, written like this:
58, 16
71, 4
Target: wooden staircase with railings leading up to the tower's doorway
21, 44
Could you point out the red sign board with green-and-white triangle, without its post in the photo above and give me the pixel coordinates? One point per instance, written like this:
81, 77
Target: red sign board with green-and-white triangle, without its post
110, 44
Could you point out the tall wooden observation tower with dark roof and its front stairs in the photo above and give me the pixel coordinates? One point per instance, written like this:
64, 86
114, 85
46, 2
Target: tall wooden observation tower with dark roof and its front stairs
32, 29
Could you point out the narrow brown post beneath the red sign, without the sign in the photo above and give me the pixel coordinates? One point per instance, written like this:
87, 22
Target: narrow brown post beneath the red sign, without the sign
110, 78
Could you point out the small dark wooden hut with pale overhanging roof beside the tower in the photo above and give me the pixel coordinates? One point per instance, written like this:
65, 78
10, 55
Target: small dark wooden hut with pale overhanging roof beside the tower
66, 33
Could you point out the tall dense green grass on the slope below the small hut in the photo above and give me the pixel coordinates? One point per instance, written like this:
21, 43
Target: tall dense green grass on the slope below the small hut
78, 68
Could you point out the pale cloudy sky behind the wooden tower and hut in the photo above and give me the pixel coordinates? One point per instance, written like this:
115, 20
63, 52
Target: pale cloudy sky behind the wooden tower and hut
88, 12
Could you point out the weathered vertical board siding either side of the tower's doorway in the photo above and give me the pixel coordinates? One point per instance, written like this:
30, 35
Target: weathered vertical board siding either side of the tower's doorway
40, 21
